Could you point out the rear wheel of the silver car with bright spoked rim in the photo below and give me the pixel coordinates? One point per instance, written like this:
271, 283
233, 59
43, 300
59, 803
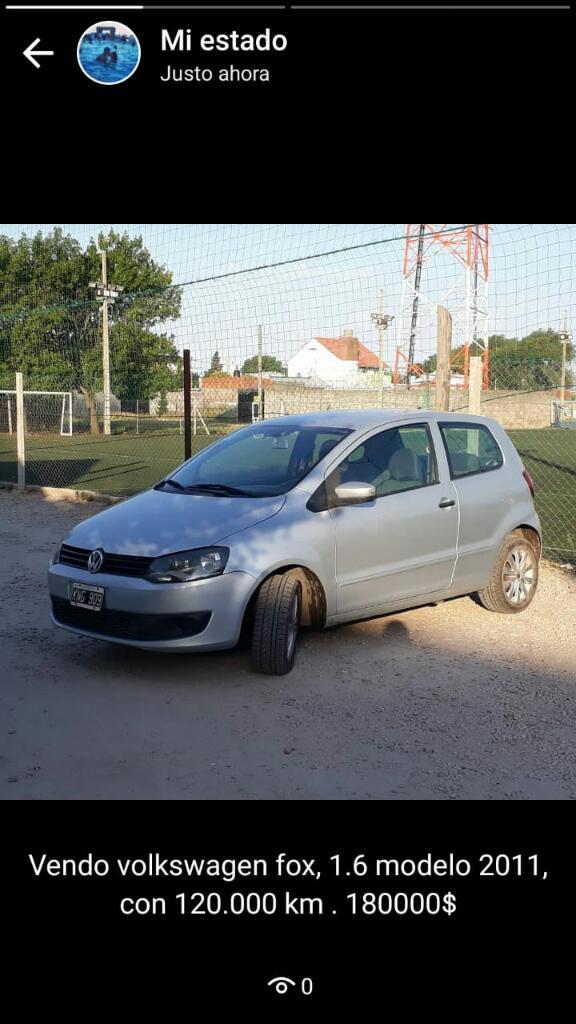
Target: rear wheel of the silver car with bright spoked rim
515, 577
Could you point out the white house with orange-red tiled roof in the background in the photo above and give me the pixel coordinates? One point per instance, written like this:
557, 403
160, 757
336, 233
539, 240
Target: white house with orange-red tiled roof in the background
336, 361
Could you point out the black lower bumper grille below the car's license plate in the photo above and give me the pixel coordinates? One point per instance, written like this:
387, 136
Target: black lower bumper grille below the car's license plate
129, 625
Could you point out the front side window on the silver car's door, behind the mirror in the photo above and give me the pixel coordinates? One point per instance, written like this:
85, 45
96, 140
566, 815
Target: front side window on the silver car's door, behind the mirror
397, 459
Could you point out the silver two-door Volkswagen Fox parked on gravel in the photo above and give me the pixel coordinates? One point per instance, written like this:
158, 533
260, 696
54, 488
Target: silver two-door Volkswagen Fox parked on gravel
306, 521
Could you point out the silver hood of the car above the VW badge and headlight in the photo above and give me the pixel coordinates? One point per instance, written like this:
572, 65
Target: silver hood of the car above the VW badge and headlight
158, 523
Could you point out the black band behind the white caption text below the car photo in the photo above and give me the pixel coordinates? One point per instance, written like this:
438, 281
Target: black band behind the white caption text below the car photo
507, 950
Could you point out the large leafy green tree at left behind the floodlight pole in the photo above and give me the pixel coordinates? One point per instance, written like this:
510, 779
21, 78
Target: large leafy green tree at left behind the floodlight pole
51, 324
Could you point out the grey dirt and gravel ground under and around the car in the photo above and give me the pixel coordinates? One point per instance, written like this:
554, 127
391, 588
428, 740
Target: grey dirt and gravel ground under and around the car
445, 703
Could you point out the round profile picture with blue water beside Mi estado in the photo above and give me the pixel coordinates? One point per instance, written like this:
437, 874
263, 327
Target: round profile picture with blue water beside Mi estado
109, 53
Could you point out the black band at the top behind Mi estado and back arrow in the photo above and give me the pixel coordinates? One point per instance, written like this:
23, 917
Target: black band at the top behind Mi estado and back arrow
414, 105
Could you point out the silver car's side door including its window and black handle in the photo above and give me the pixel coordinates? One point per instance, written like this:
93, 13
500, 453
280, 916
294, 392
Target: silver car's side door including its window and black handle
403, 544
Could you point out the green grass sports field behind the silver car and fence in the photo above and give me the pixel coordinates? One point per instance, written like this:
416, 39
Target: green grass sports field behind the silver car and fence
125, 464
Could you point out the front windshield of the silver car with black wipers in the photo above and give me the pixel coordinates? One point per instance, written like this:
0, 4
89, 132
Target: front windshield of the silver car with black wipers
260, 461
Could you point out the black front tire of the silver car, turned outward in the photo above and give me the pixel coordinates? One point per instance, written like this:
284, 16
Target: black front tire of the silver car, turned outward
277, 622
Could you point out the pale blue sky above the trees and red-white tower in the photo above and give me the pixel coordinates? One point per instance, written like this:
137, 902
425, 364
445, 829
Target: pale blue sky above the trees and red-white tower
532, 281
